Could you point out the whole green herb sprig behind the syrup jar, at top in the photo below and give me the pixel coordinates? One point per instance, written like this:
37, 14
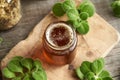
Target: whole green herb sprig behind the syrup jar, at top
77, 15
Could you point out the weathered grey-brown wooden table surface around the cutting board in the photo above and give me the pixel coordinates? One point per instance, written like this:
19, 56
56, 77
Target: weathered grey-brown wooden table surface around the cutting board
34, 10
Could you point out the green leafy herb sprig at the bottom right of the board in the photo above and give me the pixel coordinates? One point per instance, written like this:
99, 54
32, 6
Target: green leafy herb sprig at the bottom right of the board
93, 70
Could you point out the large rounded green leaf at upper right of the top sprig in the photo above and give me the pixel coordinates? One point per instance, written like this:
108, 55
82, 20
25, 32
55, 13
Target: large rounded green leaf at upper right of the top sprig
87, 7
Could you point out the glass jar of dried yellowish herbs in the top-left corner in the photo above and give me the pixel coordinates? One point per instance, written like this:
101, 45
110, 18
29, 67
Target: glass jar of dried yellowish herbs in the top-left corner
10, 13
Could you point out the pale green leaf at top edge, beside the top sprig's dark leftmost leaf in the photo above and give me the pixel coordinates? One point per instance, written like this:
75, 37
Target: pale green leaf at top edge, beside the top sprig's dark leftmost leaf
68, 4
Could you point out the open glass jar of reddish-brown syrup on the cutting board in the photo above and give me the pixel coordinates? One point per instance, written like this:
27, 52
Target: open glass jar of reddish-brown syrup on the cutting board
59, 43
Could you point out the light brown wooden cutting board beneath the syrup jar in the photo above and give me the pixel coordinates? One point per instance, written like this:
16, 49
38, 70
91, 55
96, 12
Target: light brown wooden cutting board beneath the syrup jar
101, 38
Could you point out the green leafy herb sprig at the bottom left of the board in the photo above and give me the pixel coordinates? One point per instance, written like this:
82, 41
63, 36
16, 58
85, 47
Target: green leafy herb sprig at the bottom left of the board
20, 68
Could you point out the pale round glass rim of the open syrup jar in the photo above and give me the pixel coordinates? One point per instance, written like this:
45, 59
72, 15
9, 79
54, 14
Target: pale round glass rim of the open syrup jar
54, 25
